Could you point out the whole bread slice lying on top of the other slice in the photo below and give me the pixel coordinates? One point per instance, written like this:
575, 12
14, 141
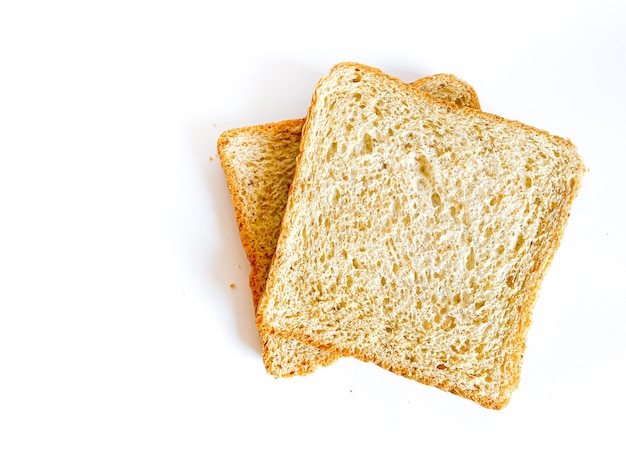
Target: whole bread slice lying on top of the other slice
417, 233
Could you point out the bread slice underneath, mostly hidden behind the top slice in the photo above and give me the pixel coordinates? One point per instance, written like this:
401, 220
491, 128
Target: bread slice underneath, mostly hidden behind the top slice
259, 162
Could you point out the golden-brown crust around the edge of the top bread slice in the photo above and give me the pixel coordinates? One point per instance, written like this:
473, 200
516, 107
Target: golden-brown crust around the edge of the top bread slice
527, 294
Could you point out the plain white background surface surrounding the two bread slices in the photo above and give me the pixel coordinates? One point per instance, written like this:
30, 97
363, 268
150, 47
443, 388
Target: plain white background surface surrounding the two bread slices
122, 344
